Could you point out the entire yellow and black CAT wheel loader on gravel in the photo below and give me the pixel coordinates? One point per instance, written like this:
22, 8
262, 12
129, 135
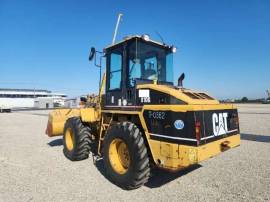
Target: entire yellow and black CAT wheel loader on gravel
141, 120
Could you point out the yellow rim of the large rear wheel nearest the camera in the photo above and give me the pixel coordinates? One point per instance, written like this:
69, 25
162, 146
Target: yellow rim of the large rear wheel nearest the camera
119, 156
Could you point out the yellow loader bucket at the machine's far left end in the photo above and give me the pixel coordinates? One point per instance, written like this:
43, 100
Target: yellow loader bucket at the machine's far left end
57, 119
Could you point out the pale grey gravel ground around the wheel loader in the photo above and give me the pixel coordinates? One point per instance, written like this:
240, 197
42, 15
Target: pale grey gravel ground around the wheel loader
33, 167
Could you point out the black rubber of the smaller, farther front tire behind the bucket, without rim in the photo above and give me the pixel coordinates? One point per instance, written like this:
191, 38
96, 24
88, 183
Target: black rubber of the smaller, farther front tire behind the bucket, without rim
81, 139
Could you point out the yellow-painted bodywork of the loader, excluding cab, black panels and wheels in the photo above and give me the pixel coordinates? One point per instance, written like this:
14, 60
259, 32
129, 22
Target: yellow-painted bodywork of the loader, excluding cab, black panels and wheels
166, 155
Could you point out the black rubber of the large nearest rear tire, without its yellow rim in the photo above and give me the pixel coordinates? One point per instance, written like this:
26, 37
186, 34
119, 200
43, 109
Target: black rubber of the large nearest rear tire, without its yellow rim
138, 172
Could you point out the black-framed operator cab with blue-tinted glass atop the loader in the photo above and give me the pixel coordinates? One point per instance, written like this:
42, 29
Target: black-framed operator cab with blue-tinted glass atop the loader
133, 61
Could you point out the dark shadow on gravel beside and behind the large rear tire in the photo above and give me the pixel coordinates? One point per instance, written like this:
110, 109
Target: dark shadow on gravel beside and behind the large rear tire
159, 177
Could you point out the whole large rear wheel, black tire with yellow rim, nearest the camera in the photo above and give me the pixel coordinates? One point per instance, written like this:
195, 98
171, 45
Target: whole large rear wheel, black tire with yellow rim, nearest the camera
125, 156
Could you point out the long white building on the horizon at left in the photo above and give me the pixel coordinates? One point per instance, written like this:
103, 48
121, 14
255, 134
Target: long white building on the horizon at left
28, 98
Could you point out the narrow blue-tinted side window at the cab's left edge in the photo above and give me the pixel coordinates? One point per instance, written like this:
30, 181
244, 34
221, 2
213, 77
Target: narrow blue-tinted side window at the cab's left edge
115, 71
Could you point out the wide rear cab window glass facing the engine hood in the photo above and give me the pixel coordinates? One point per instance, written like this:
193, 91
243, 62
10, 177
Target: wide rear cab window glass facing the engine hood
149, 62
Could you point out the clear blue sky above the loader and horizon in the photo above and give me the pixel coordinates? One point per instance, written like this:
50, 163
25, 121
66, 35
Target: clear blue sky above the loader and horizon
223, 46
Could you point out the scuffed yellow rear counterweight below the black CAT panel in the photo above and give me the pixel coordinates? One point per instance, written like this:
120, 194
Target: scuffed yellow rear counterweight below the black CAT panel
174, 157
